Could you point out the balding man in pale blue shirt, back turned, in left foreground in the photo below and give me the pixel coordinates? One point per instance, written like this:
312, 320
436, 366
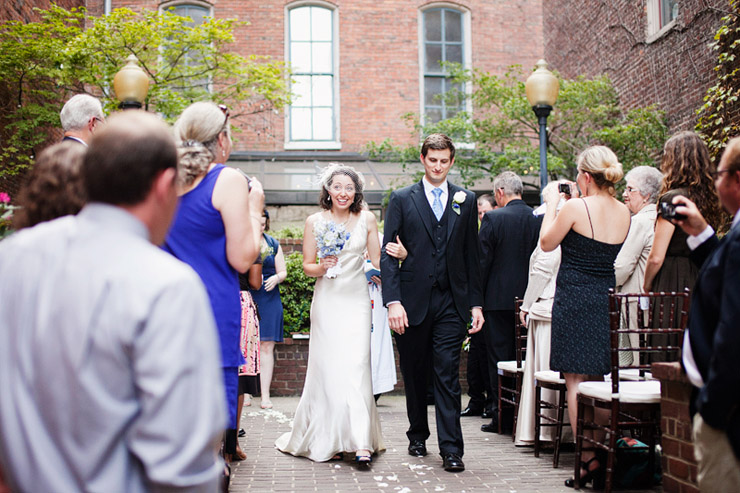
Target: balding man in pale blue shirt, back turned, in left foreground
109, 359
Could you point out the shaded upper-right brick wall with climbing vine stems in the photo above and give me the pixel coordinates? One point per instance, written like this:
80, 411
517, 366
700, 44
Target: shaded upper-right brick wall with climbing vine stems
674, 71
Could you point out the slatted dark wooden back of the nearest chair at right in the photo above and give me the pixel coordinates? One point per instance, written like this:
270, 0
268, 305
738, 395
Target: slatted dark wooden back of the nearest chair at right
657, 313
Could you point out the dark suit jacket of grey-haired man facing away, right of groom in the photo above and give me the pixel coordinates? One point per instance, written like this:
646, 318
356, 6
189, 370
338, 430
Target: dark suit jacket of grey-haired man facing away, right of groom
508, 236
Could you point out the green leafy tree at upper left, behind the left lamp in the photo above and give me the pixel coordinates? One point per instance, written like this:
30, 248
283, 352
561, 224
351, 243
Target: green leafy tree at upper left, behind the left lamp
68, 51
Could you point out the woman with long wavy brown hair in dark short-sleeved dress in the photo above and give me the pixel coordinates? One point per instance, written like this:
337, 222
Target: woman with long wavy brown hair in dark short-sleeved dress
687, 170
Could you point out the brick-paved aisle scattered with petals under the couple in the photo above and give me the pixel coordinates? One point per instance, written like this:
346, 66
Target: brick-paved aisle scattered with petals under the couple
492, 462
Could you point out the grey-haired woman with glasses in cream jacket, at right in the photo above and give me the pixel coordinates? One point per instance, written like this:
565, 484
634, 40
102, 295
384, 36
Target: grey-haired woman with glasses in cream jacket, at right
640, 196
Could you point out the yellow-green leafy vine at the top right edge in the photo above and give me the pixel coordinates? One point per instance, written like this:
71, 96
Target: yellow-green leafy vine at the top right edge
719, 117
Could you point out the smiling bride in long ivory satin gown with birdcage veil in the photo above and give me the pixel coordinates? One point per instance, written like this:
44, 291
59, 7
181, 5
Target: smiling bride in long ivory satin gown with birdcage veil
337, 410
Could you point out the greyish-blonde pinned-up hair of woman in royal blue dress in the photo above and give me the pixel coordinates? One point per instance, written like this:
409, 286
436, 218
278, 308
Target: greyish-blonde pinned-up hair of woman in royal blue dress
197, 129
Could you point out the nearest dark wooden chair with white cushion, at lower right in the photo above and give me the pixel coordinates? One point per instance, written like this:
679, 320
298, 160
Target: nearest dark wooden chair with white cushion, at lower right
631, 405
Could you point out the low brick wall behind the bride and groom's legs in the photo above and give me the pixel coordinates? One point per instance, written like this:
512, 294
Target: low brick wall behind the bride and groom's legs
291, 360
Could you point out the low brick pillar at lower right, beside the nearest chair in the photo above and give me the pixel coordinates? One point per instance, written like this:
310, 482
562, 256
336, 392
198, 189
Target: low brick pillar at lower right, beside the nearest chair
679, 465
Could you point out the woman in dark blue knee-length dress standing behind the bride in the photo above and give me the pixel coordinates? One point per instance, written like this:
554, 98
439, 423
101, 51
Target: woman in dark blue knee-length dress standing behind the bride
269, 305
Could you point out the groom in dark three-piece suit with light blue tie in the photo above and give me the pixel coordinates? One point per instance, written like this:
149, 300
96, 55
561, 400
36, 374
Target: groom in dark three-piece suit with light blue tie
431, 294
